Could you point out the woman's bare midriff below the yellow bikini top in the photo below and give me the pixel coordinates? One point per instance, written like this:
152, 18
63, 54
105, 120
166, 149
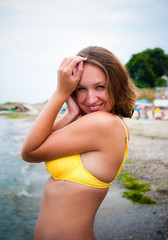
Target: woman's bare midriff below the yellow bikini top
67, 211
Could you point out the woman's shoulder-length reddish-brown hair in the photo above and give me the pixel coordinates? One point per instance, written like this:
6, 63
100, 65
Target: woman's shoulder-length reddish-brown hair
120, 87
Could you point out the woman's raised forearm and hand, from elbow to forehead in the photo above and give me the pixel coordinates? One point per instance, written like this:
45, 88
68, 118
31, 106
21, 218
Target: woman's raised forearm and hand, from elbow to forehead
43, 125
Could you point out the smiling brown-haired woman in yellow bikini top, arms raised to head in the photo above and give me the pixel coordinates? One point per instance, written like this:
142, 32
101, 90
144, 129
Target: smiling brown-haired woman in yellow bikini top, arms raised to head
84, 151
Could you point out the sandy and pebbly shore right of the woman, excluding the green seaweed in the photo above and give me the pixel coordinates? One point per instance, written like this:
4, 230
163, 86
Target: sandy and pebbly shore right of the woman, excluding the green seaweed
119, 218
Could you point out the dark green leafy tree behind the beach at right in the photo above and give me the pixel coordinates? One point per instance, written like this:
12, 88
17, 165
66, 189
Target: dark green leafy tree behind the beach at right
149, 68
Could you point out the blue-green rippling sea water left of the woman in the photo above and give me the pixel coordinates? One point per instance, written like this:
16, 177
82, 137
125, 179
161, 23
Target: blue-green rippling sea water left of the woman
21, 183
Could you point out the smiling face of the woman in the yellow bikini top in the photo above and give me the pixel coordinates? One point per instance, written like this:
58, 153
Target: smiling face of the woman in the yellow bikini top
91, 93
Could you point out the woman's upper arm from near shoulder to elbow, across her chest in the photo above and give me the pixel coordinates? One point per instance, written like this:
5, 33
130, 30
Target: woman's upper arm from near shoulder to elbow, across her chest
91, 132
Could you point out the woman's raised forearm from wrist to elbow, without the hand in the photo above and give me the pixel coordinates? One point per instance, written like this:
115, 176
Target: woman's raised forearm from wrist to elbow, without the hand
43, 125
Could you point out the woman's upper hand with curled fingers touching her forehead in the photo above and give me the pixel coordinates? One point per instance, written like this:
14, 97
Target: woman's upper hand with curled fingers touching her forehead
68, 79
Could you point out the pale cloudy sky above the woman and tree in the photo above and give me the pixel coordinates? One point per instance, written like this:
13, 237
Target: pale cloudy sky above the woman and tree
35, 35
